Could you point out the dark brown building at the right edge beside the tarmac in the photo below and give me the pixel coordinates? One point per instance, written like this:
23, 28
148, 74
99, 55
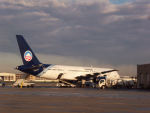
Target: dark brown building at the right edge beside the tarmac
143, 76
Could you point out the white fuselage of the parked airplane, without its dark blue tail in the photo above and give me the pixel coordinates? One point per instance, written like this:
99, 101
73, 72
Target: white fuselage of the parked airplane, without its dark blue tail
71, 72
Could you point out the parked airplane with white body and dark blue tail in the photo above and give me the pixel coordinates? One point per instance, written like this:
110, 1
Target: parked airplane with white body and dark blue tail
65, 74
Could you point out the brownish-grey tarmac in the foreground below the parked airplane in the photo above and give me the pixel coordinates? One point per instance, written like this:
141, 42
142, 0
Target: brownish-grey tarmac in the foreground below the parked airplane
73, 100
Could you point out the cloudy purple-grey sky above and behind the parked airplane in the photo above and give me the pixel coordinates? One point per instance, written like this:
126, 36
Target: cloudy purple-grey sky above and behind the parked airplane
97, 33
